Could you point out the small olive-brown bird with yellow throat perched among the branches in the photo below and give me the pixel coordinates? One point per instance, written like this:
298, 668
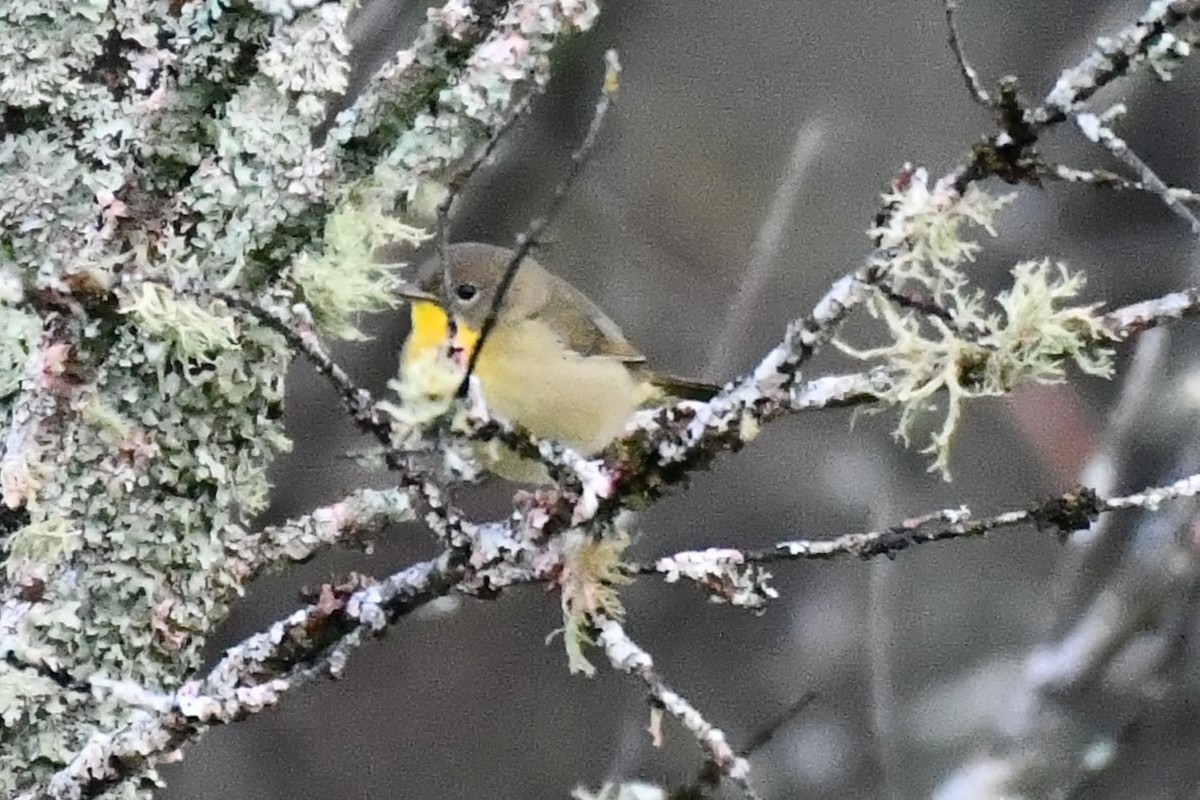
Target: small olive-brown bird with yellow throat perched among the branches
554, 363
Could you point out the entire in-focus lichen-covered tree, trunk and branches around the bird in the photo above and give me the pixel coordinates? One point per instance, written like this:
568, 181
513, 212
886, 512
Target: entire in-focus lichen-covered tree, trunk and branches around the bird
179, 221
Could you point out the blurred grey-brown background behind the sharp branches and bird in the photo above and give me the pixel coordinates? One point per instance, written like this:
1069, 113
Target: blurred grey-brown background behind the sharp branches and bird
929, 673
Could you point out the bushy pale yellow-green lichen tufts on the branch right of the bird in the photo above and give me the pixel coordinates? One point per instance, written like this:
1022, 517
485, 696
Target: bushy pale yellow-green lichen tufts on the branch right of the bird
971, 347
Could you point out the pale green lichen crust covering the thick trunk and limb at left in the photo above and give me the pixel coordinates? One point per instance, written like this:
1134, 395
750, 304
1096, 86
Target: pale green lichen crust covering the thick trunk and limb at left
181, 148
